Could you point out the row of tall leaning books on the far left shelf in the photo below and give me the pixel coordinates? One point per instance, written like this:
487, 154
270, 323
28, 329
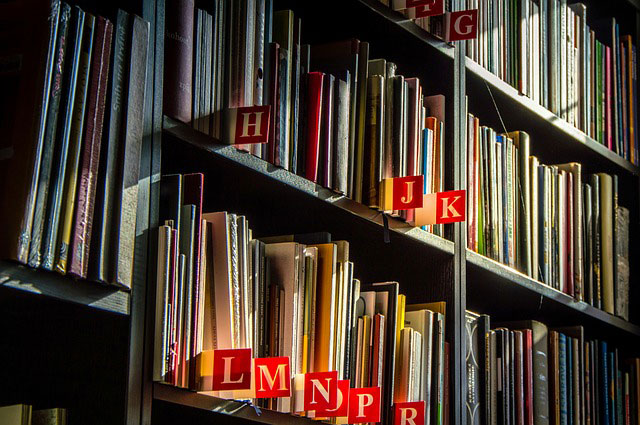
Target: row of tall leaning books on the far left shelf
70, 189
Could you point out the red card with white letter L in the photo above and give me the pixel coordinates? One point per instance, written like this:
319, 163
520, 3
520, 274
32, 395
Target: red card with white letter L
232, 369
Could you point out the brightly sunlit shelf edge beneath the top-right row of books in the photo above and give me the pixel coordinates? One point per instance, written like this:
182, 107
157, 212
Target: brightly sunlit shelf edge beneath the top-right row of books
544, 114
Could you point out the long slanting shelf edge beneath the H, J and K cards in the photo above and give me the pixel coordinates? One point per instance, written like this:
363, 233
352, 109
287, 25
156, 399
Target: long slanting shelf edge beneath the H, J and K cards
245, 159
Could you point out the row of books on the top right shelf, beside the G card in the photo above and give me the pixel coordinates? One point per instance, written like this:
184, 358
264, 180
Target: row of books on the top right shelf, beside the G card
582, 70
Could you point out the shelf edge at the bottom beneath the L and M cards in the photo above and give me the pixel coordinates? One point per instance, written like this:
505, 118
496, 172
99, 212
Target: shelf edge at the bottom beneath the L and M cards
237, 409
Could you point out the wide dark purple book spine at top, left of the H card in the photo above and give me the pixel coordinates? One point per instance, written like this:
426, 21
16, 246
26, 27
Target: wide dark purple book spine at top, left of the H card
178, 48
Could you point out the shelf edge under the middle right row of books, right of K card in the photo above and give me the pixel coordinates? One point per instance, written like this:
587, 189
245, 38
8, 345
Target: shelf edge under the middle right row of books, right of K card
504, 272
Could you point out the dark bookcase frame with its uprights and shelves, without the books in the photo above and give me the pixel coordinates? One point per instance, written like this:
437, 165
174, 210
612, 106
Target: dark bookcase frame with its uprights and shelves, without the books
437, 269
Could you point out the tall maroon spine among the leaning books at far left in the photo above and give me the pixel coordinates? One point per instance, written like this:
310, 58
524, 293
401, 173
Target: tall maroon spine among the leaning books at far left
83, 219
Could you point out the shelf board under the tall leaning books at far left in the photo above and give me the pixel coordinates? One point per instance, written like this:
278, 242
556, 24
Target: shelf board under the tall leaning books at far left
53, 285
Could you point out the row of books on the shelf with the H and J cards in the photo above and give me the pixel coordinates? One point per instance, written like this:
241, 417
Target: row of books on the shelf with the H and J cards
338, 118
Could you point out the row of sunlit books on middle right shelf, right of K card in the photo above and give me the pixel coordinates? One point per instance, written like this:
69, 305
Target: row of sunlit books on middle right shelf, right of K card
548, 221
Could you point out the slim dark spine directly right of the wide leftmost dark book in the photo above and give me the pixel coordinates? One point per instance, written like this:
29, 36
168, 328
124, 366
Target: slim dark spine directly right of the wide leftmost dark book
48, 146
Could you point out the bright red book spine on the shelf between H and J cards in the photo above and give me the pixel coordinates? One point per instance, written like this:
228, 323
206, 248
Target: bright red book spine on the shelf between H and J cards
314, 115
